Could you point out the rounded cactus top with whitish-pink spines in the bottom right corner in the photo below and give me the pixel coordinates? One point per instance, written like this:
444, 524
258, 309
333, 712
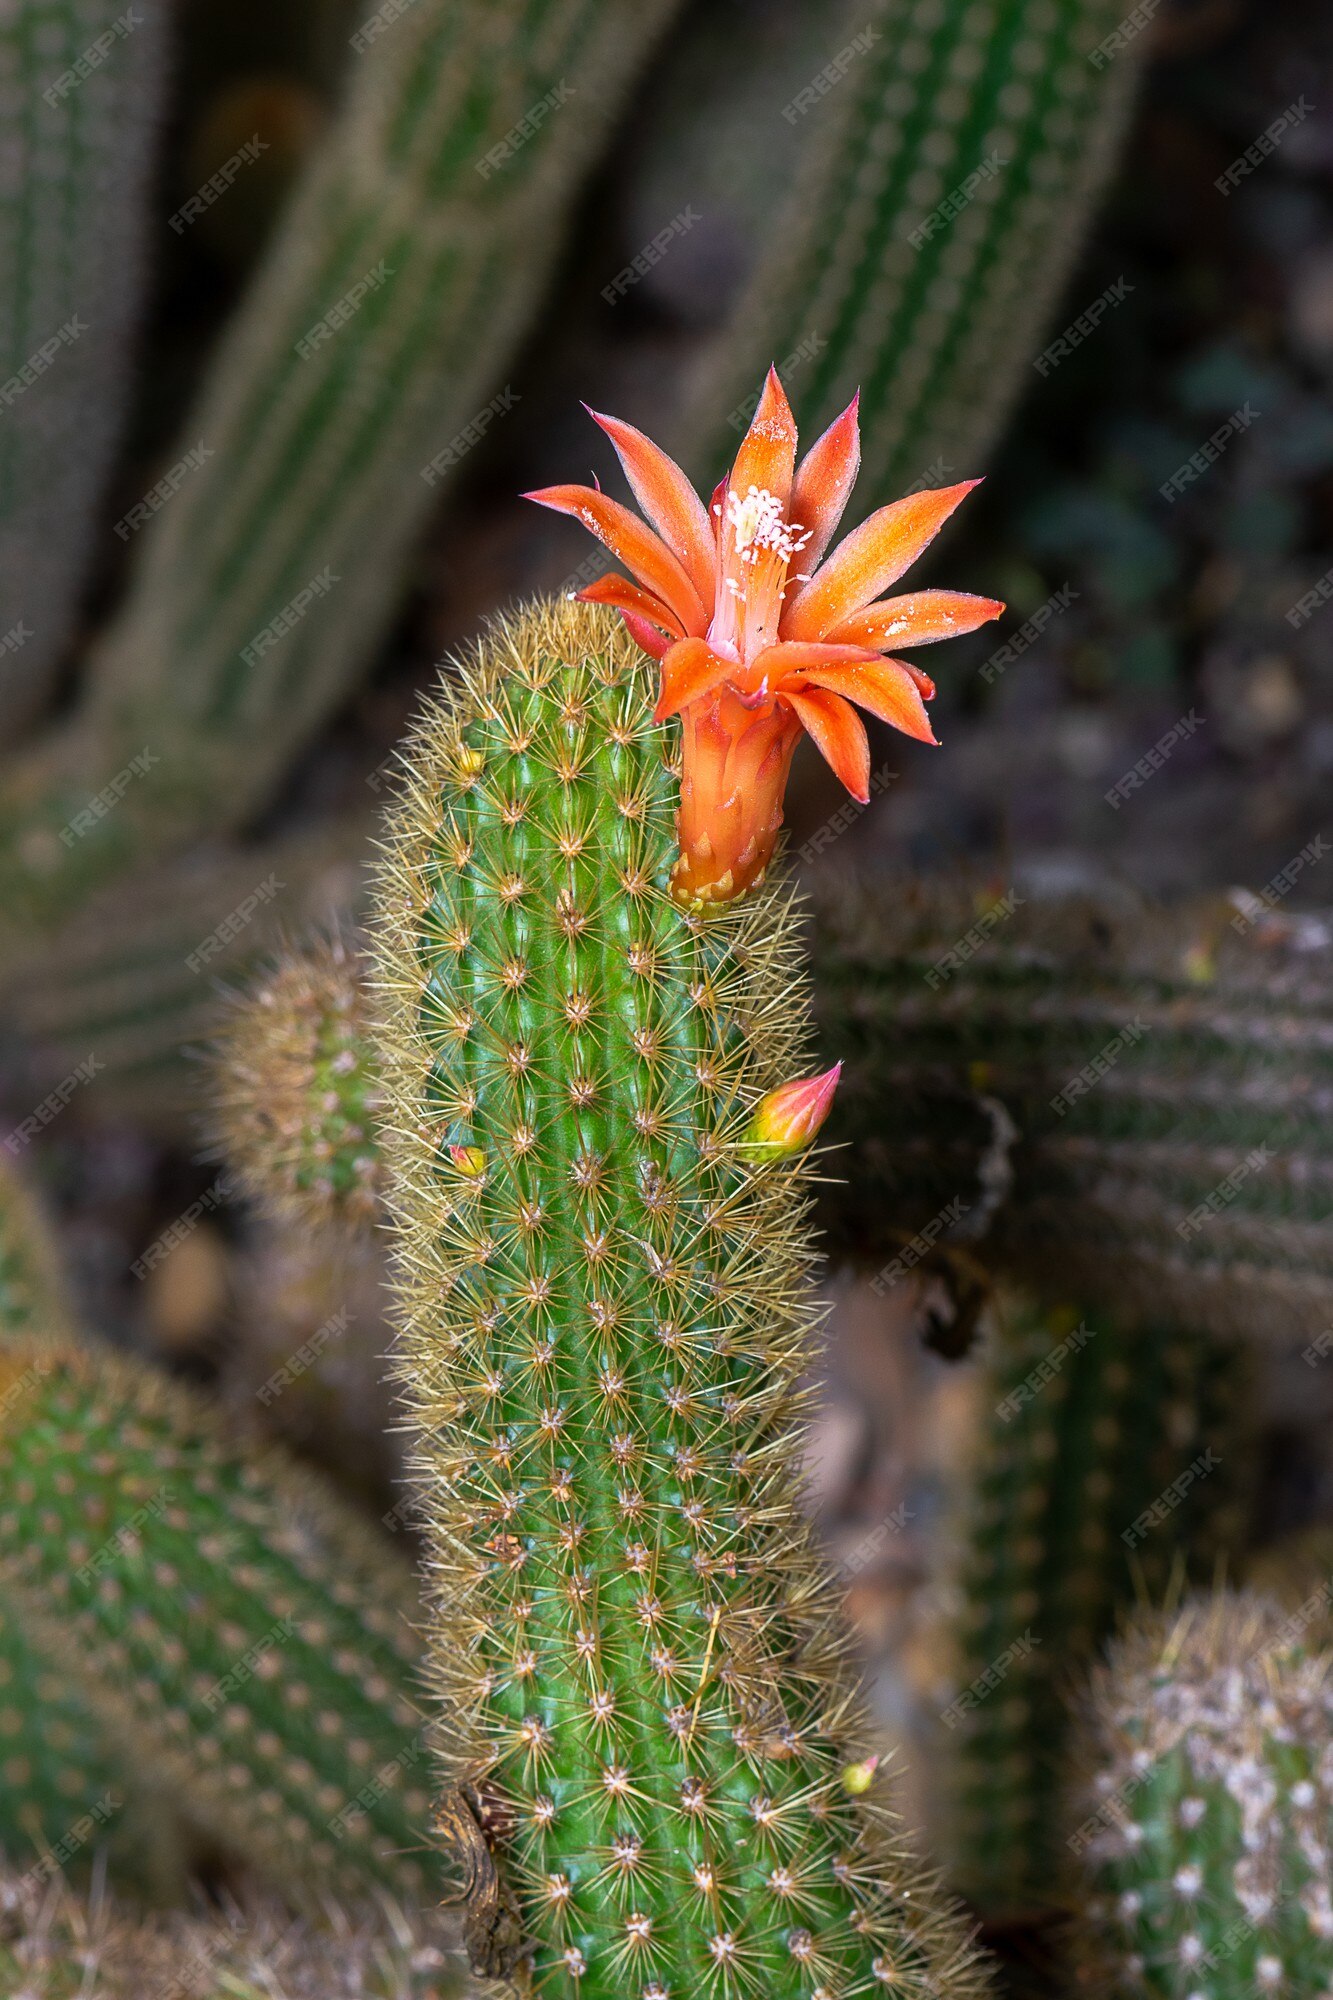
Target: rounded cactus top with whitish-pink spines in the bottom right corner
1206, 1825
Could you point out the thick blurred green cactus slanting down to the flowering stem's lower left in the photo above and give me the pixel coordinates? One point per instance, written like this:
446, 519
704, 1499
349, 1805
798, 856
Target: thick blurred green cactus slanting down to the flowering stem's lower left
281, 1701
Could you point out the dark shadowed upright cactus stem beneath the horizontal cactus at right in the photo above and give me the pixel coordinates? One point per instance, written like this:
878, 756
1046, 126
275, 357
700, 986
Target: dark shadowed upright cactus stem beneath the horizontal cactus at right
1088, 1427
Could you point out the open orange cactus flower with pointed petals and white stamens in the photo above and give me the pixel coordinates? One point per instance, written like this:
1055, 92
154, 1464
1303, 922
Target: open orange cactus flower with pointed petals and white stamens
762, 635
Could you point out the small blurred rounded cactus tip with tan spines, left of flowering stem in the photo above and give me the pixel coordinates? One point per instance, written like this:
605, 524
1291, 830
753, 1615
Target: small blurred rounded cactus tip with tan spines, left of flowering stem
297, 1091
